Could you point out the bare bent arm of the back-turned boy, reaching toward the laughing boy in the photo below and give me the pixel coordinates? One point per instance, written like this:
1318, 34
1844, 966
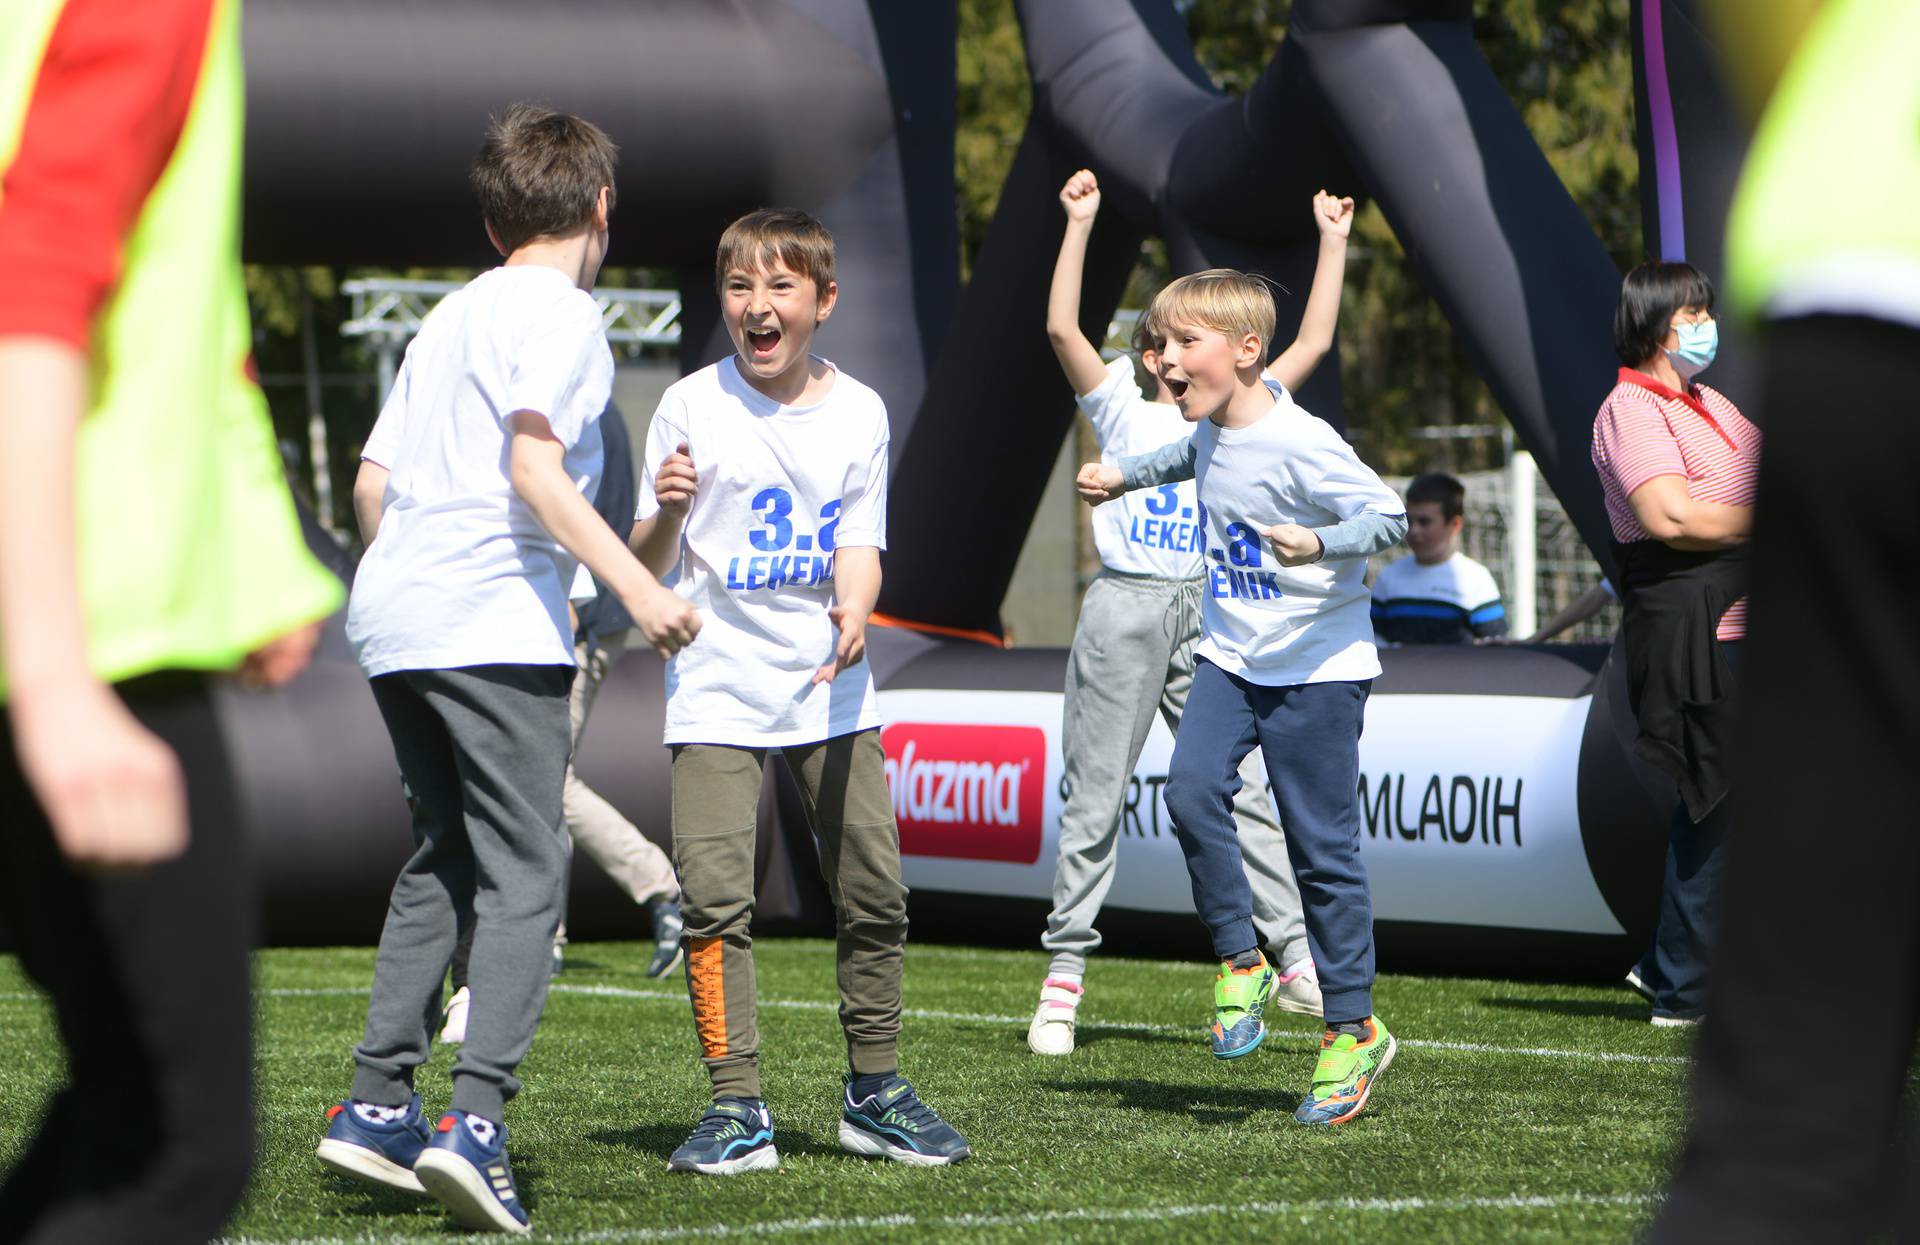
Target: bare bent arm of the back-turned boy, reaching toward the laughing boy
540, 479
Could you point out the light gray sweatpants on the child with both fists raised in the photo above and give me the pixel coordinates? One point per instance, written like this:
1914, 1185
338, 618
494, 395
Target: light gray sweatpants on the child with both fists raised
1134, 652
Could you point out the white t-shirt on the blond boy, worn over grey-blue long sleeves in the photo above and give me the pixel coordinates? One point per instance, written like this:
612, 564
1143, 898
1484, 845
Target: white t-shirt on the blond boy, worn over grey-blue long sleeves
1268, 623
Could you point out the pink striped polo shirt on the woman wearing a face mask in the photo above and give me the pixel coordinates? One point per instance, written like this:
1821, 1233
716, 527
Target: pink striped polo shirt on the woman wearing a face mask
1646, 429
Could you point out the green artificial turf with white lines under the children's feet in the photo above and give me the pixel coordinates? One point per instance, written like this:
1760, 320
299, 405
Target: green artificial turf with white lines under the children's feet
1514, 1111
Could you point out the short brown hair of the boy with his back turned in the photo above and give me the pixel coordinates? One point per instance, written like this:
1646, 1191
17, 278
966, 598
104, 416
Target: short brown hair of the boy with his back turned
540, 174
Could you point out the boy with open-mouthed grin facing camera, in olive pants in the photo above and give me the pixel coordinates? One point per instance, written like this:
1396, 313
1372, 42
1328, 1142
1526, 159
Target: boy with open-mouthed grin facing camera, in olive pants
765, 495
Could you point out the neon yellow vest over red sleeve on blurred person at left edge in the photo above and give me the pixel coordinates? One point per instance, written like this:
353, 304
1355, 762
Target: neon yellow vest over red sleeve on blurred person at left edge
189, 549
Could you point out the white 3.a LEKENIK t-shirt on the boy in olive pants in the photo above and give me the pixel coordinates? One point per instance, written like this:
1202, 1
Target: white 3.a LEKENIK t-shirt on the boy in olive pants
780, 489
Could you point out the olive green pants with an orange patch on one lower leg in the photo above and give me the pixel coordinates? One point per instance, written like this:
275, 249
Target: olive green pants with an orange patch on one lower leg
717, 798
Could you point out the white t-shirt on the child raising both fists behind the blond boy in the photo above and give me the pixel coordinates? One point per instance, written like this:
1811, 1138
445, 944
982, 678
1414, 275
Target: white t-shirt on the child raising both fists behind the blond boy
1151, 531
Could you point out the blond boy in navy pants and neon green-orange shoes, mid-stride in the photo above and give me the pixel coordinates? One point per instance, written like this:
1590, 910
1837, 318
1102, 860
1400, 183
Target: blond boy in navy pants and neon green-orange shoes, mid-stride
1291, 516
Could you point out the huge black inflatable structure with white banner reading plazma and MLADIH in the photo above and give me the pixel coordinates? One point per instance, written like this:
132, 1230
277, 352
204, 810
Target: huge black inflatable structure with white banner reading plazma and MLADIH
1508, 827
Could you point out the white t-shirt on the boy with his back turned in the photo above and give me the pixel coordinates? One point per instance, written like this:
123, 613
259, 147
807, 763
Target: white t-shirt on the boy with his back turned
462, 574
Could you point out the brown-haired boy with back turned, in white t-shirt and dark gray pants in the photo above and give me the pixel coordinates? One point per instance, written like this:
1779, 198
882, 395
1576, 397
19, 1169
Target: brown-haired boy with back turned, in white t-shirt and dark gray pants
481, 460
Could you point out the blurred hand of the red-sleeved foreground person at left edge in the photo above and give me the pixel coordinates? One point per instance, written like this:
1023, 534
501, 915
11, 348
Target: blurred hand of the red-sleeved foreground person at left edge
110, 789
